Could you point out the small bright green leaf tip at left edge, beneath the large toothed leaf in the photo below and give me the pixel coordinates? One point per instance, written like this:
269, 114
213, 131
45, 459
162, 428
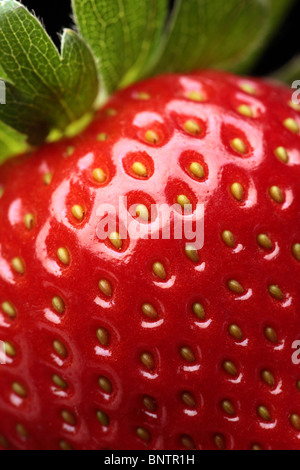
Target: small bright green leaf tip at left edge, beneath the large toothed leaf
11, 142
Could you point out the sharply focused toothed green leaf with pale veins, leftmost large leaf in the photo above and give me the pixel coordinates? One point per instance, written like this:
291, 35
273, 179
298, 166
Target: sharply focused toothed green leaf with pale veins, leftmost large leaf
45, 90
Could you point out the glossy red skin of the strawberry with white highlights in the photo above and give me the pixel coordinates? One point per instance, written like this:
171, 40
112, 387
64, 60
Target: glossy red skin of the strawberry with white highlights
172, 424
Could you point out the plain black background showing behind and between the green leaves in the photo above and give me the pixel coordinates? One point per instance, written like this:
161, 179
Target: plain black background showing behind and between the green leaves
56, 14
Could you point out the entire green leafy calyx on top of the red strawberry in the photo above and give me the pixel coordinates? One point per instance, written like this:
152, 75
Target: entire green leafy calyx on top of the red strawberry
50, 94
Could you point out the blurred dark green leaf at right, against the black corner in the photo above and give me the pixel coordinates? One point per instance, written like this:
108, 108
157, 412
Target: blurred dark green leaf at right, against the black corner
217, 33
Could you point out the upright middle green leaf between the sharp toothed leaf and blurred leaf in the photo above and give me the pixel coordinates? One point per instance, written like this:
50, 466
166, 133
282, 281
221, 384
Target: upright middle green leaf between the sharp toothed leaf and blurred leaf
123, 35
